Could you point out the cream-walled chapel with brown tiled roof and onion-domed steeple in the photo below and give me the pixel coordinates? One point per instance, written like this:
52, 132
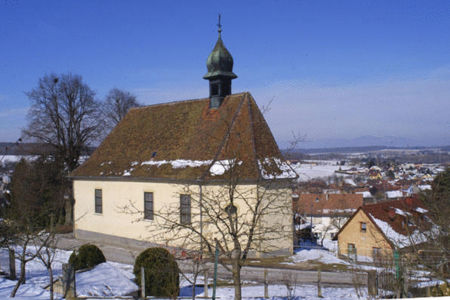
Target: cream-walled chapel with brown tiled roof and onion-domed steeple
176, 155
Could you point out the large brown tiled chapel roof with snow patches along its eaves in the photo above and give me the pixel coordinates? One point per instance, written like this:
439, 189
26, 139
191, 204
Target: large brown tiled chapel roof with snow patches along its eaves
186, 140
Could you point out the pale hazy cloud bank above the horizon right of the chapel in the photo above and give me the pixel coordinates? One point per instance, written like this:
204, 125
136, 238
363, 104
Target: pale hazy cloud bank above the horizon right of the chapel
414, 108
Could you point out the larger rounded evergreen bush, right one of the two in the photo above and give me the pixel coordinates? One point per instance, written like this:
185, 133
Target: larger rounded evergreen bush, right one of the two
162, 275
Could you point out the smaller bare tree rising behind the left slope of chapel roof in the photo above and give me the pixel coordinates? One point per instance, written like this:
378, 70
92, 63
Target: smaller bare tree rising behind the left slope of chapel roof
116, 106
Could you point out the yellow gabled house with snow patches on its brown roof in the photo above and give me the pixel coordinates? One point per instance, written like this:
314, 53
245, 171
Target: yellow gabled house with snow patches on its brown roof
377, 230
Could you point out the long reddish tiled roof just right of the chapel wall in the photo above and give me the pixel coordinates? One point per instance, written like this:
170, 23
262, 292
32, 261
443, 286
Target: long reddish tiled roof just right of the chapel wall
328, 204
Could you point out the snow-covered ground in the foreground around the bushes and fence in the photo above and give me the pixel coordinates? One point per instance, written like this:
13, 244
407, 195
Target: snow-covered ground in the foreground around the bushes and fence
115, 279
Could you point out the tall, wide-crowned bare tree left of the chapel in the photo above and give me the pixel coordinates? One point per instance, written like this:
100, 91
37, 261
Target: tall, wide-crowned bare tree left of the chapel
65, 116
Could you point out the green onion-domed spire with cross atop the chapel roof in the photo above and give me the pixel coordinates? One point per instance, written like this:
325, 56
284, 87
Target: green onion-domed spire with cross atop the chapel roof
220, 71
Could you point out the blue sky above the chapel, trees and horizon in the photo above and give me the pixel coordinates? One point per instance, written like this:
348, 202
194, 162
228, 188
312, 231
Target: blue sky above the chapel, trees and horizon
332, 69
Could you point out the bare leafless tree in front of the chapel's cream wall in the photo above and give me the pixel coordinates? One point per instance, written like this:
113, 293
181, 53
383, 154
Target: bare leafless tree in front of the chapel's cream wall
242, 220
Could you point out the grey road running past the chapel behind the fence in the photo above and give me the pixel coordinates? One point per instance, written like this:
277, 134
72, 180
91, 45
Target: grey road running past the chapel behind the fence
274, 275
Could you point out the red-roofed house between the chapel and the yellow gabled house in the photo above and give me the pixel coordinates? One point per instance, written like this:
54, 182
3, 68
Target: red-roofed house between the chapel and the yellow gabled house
327, 212
